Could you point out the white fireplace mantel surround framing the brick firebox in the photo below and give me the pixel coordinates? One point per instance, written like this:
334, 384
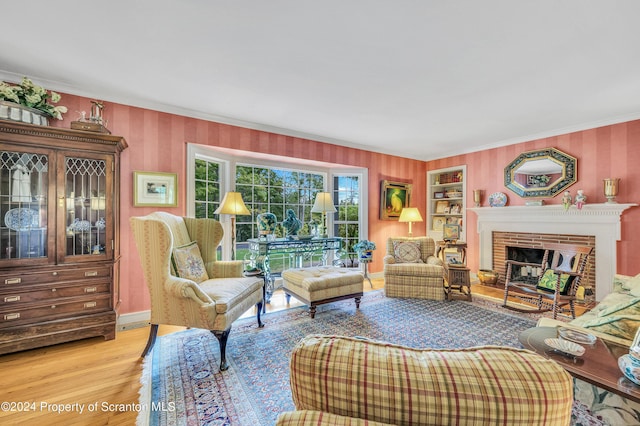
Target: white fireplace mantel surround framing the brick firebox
600, 220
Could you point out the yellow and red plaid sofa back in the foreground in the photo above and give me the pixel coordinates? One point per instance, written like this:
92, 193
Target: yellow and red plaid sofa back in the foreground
348, 381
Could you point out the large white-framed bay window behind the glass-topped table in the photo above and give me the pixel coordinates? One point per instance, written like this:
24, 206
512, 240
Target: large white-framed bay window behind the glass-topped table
272, 185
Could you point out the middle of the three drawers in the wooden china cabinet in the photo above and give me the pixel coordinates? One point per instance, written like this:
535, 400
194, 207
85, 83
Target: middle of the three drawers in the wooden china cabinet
51, 293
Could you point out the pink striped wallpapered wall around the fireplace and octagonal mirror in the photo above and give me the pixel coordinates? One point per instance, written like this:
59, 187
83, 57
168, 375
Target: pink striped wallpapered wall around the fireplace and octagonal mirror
609, 151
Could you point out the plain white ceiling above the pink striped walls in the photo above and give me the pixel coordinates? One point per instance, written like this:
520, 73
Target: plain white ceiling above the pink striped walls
422, 79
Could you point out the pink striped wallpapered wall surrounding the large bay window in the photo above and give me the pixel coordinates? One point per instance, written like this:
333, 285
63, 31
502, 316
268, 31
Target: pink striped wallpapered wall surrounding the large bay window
158, 142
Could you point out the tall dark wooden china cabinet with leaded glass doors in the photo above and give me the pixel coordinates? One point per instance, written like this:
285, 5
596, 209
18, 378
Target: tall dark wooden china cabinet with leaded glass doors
59, 235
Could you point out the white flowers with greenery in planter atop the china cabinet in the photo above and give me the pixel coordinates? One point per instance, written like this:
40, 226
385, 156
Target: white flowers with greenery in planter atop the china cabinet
29, 103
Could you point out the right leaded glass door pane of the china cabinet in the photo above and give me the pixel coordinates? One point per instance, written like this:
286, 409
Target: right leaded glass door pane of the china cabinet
86, 206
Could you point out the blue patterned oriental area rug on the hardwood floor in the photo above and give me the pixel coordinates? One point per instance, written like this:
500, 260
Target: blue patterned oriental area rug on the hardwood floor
182, 384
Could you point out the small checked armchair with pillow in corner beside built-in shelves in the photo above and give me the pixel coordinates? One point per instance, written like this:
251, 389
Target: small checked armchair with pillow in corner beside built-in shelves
411, 269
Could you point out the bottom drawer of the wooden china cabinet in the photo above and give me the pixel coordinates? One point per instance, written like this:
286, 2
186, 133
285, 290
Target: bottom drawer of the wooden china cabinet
67, 308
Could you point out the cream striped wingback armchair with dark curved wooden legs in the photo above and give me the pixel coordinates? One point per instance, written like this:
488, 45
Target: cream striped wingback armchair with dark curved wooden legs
201, 291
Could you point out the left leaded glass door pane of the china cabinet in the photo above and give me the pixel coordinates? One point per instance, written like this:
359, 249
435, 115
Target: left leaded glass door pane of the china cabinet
24, 183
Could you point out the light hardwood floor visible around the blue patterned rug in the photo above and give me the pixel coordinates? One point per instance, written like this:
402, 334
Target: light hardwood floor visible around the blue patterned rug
50, 385
